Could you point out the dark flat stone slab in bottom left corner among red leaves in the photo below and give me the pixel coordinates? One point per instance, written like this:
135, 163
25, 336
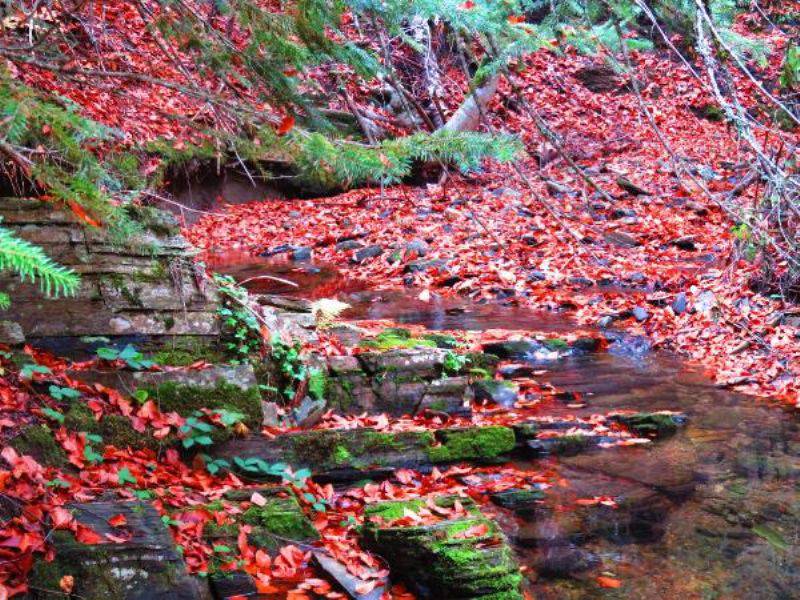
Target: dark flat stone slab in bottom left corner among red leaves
146, 566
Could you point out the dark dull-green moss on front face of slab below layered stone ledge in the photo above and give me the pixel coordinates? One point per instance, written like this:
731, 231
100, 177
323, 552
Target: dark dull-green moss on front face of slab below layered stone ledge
186, 399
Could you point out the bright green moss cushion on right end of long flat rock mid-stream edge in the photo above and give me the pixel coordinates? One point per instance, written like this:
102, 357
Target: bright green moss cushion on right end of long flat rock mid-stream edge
472, 444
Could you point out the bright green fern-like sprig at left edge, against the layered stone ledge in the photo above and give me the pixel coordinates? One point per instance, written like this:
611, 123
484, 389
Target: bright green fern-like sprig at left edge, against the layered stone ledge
31, 263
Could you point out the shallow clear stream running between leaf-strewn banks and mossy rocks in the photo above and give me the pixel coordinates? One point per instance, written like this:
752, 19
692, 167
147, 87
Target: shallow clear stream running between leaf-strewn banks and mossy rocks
711, 512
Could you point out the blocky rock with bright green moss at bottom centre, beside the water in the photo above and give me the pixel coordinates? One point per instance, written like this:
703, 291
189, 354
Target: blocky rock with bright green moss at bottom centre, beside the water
467, 557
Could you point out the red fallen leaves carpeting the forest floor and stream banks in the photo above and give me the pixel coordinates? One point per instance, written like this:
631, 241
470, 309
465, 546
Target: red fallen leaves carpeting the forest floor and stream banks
647, 250
